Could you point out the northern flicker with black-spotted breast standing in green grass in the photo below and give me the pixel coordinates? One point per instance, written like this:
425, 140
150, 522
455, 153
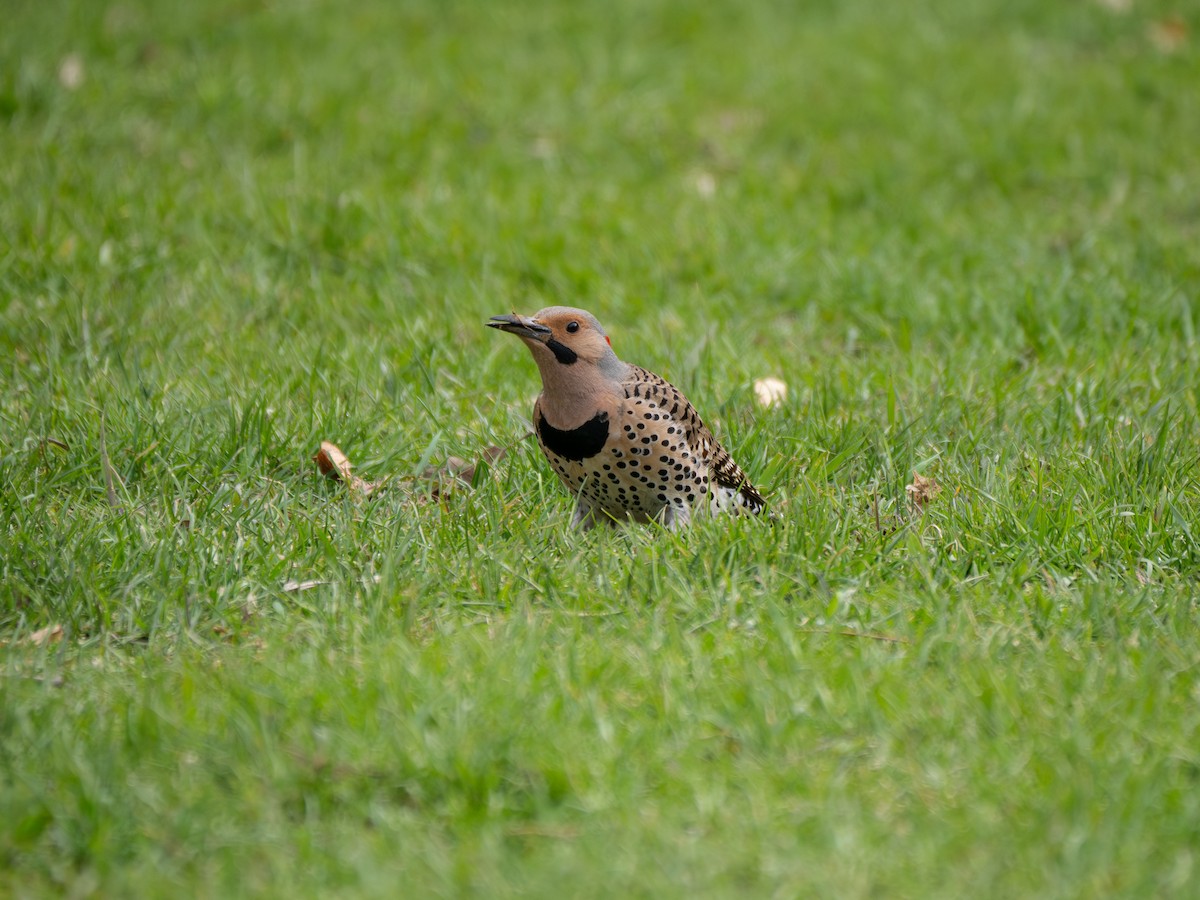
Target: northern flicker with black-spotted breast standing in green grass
626, 442
